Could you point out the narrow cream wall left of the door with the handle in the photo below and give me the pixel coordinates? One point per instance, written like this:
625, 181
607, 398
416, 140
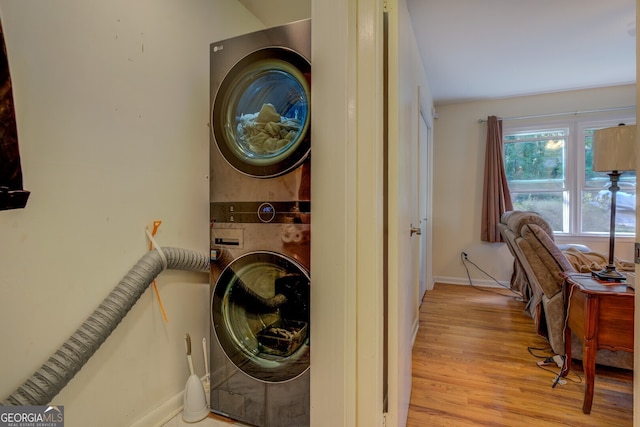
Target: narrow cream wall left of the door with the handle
406, 74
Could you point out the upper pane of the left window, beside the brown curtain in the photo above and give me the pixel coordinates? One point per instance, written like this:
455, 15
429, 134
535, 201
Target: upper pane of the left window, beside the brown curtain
535, 160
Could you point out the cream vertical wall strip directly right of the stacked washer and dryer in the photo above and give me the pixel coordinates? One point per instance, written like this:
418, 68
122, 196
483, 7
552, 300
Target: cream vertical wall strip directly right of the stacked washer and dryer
333, 382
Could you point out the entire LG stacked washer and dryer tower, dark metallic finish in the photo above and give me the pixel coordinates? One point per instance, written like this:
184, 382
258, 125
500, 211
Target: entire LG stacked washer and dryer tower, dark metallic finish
260, 226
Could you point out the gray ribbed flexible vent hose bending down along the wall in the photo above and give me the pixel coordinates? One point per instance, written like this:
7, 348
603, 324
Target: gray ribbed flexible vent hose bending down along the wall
56, 373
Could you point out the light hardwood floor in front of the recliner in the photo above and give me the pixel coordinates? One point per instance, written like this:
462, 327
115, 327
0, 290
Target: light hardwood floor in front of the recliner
472, 367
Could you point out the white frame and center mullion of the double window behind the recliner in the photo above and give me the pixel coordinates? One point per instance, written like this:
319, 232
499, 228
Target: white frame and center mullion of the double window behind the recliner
575, 159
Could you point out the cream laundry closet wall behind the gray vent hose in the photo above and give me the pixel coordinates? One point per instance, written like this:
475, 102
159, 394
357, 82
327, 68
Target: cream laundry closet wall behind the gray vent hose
112, 109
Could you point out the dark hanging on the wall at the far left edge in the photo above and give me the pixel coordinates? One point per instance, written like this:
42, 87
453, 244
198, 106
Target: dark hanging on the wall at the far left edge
12, 193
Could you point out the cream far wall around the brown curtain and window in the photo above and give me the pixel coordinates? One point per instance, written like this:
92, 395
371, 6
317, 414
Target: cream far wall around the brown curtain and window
459, 147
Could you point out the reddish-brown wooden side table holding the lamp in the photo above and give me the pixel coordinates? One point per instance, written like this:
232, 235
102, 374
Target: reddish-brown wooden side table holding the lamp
602, 315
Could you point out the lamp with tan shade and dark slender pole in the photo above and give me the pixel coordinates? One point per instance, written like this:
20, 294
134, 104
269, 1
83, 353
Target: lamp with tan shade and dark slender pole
614, 151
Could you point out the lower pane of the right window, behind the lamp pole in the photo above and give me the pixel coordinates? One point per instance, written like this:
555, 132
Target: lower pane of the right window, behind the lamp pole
596, 206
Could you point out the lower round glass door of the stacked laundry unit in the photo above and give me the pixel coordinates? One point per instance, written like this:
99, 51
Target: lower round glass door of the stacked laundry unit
260, 315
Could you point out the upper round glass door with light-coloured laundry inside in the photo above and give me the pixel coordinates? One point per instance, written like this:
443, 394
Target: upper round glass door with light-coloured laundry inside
260, 115
